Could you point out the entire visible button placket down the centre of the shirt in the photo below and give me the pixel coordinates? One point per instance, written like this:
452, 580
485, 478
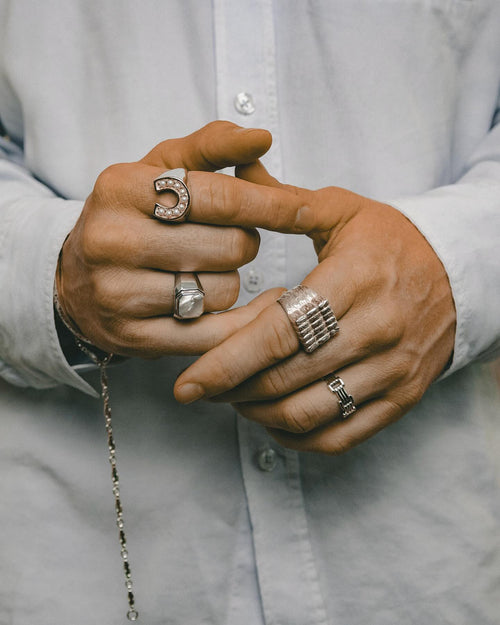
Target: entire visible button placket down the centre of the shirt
247, 95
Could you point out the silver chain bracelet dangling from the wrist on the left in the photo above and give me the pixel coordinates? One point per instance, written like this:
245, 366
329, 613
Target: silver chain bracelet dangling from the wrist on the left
85, 346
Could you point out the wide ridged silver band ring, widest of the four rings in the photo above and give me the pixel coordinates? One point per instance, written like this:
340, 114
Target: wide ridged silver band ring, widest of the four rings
311, 316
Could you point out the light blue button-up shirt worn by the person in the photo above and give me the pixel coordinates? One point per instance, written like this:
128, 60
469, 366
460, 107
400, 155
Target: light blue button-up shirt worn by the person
396, 100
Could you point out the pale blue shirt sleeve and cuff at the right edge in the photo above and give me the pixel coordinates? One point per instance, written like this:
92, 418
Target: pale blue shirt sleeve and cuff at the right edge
462, 223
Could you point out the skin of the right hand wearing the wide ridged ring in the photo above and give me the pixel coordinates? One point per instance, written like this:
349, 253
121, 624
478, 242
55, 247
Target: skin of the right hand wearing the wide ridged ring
396, 314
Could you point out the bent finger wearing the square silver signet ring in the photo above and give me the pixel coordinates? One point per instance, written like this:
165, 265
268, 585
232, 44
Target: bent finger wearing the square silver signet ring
142, 293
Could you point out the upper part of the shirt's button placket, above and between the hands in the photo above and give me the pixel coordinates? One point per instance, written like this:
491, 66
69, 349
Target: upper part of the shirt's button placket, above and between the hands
247, 95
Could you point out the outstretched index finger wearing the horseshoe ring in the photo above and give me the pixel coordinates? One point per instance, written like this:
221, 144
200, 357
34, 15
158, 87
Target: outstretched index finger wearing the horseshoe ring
224, 200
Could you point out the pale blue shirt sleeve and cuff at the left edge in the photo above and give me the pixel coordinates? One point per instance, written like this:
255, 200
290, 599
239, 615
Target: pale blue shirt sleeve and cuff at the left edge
33, 226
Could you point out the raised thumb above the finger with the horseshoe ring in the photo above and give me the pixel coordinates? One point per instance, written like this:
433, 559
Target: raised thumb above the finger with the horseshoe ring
215, 146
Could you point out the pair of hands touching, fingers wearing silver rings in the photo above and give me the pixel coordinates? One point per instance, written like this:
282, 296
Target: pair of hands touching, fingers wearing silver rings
386, 286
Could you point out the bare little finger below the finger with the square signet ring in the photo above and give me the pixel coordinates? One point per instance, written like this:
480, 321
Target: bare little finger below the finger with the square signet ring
161, 336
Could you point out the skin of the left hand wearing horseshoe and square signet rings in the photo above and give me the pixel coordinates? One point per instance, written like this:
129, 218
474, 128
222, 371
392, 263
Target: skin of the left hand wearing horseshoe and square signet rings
116, 272
